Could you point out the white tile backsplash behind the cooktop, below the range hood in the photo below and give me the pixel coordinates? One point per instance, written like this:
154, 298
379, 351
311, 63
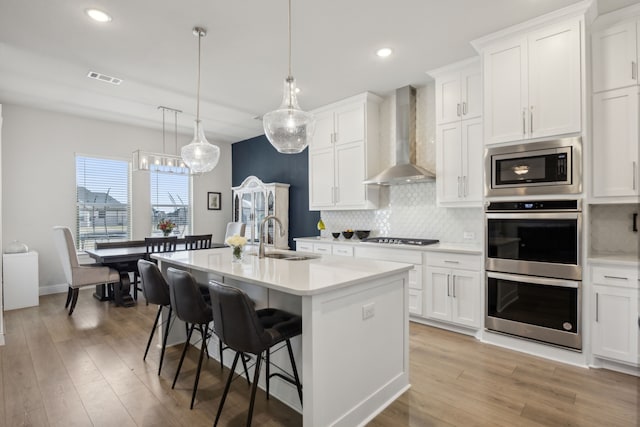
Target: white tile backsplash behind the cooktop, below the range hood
411, 212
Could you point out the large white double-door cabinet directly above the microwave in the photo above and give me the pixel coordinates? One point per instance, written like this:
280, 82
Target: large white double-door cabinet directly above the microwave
532, 84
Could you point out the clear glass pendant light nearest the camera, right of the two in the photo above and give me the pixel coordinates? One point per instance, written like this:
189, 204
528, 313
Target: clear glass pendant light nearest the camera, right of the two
289, 129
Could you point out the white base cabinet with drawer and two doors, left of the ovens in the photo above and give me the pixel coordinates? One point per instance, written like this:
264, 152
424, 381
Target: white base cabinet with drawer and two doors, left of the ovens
453, 288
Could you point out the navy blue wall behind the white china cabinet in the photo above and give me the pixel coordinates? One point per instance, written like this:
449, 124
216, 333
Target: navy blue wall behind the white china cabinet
256, 156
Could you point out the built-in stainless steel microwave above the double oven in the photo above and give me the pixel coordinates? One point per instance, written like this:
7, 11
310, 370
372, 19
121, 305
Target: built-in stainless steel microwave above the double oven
535, 168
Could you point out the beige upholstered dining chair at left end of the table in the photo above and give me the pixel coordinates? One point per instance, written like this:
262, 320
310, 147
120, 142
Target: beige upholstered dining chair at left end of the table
78, 275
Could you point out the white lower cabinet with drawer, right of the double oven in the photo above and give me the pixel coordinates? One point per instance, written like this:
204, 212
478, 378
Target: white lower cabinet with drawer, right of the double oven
614, 313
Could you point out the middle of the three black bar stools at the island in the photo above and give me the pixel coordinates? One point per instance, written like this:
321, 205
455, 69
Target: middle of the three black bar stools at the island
191, 308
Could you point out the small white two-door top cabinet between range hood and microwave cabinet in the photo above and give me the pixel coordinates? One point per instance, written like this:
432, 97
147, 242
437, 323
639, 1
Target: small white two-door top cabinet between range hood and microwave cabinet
458, 94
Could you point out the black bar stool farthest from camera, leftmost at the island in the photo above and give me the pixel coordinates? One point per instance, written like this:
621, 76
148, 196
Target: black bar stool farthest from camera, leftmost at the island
156, 291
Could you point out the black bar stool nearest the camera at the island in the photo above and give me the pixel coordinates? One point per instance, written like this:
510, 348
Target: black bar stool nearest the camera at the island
246, 330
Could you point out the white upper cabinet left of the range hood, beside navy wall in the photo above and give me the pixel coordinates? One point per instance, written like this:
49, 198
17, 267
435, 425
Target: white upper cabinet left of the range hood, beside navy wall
343, 153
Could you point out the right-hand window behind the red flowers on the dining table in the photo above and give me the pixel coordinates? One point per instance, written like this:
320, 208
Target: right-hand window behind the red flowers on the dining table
170, 200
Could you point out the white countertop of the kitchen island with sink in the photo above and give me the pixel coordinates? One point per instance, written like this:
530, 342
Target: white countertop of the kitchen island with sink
322, 274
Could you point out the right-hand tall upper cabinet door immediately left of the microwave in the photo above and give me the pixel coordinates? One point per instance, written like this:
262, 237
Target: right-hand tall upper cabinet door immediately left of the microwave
472, 158
